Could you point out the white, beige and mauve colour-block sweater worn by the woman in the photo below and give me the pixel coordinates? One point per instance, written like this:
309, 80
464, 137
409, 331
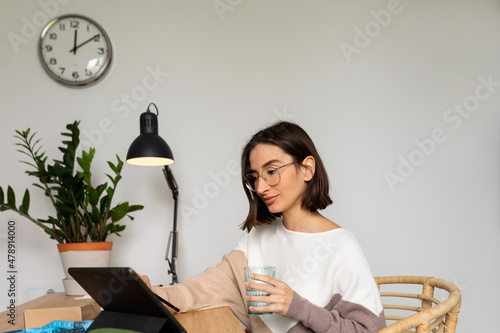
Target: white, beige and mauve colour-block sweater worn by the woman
335, 291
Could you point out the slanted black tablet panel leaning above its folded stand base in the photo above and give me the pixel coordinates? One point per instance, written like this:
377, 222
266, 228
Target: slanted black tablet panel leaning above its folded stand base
121, 290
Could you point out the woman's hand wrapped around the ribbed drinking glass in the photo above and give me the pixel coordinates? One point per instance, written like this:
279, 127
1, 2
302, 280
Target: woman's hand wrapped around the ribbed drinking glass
280, 294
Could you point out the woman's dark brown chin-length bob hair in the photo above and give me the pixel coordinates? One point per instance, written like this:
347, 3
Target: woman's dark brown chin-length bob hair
295, 142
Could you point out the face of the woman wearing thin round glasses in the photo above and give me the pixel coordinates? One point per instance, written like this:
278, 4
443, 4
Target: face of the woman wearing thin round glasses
288, 193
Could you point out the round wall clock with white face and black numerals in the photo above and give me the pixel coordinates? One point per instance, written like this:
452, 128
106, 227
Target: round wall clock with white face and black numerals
75, 50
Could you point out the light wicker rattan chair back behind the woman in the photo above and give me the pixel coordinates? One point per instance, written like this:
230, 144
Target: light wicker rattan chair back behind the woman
428, 314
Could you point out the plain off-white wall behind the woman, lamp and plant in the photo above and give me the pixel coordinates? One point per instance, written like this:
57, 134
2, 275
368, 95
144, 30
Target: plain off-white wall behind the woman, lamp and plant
222, 76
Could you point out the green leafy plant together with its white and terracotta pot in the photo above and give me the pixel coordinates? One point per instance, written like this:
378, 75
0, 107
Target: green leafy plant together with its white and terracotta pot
83, 213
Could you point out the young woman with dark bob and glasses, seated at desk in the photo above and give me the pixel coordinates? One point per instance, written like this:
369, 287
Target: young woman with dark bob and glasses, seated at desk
323, 281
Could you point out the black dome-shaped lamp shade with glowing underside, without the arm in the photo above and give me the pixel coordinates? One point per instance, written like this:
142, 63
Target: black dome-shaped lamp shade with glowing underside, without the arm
149, 149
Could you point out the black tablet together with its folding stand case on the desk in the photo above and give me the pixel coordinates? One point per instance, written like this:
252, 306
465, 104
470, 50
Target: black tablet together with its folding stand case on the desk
126, 300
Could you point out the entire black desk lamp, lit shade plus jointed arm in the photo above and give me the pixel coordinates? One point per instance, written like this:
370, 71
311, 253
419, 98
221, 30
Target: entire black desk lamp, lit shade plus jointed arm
149, 149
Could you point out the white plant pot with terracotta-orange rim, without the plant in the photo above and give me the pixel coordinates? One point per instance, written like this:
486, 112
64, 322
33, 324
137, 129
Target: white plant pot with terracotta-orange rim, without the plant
97, 254
